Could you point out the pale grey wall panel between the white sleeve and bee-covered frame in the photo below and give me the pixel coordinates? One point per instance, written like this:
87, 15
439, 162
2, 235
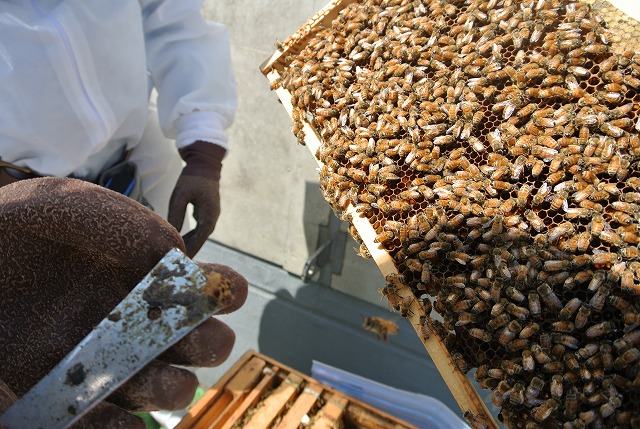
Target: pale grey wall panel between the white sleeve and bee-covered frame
272, 207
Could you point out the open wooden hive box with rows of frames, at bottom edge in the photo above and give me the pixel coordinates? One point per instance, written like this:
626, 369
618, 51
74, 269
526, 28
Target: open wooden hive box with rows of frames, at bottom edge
261, 393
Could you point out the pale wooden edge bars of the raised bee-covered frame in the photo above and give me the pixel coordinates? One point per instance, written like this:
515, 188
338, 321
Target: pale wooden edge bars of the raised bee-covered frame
459, 383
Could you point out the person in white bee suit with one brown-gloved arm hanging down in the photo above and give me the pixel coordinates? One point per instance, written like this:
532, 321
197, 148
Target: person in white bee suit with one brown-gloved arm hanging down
76, 80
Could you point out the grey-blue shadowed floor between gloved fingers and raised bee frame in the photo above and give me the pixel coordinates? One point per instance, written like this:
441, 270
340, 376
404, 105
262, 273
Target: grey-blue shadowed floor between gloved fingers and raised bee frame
296, 322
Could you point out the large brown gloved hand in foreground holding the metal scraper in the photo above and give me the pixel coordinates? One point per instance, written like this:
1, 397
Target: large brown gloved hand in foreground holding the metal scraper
69, 252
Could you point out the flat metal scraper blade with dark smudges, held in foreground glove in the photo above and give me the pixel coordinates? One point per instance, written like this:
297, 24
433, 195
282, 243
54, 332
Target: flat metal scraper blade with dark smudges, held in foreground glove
167, 304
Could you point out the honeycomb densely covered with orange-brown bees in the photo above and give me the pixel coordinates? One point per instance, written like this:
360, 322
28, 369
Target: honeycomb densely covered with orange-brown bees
494, 148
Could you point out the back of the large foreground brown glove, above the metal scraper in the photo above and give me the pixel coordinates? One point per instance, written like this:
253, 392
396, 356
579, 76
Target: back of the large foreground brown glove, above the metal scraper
69, 252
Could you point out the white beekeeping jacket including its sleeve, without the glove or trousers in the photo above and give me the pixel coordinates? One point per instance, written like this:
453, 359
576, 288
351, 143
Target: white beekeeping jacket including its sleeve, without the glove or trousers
76, 76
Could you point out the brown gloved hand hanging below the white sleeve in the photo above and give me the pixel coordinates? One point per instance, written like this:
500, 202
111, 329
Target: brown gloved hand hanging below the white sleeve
199, 184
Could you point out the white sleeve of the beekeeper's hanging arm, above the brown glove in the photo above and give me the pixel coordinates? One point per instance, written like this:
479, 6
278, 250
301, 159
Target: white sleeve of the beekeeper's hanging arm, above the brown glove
189, 61
